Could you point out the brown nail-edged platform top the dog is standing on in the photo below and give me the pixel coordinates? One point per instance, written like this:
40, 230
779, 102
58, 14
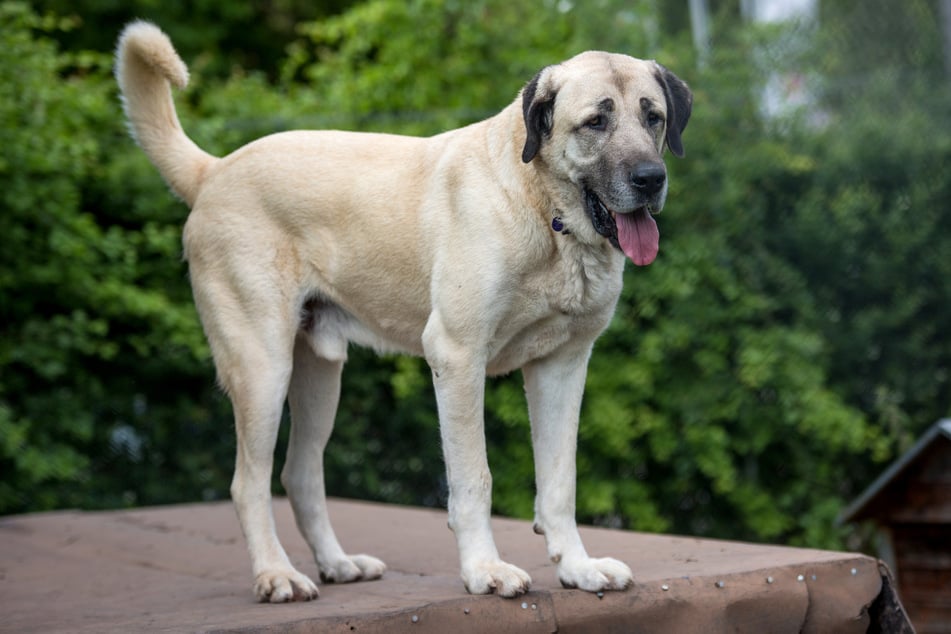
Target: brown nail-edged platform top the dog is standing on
186, 568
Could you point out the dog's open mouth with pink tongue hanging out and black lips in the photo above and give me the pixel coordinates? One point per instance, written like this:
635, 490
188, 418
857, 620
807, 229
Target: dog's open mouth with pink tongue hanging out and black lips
633, 232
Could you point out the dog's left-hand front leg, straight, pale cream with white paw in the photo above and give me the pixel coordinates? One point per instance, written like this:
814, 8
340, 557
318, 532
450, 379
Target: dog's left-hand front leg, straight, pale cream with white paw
459, 379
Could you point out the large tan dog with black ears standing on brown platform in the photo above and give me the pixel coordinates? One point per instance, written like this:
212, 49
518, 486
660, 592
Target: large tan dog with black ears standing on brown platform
486, 249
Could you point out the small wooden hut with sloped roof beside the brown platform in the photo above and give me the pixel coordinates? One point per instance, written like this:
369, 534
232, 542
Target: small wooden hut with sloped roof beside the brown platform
911, 504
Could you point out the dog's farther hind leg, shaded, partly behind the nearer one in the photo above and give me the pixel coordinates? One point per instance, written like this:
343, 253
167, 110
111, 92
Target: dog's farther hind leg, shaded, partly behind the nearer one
313, 397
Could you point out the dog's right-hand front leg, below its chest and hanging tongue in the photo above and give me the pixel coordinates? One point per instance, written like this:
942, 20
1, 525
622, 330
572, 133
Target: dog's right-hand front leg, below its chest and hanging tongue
554, 387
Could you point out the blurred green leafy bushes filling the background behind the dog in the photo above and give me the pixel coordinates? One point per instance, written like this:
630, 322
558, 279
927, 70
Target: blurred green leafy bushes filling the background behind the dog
789, 341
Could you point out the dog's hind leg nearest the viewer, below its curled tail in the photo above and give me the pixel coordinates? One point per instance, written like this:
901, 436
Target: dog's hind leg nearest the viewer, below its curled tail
251, 332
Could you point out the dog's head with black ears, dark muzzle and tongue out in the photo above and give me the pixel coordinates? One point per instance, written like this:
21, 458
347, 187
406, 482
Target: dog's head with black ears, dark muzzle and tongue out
597, 125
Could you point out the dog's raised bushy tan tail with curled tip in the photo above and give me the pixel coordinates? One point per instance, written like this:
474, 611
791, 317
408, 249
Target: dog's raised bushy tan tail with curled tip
146, 63
